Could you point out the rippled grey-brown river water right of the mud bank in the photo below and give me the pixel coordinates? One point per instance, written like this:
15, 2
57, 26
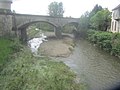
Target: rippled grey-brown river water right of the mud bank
93, 66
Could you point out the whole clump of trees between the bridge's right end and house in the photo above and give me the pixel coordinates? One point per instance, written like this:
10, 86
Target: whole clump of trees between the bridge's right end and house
98, 19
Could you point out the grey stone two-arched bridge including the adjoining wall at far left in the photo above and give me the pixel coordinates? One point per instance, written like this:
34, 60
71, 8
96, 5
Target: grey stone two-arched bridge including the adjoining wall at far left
19, 23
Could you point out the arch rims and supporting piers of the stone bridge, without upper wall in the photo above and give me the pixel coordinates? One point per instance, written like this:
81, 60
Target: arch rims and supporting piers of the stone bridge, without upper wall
57, 29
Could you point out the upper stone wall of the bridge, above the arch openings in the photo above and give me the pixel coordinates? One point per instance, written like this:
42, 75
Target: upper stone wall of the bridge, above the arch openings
24, 20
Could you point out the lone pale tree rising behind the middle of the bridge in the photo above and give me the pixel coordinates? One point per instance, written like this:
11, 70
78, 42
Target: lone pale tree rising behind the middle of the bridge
56, 9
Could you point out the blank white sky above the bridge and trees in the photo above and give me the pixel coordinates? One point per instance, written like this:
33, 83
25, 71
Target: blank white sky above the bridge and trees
74, 8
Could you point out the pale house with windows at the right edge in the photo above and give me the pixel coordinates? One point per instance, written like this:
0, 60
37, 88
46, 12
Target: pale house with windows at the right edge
115, 23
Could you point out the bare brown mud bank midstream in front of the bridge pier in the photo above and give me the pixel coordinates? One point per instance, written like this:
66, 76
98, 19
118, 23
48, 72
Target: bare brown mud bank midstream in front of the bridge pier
57, 47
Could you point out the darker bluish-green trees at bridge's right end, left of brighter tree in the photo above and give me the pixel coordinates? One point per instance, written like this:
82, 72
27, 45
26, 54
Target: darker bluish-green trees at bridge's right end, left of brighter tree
87, 21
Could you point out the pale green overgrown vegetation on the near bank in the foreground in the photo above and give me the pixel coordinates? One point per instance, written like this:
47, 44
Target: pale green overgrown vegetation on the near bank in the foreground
26, 72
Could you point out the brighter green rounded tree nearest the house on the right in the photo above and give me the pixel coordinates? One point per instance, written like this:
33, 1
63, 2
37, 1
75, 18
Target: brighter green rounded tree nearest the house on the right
101, 20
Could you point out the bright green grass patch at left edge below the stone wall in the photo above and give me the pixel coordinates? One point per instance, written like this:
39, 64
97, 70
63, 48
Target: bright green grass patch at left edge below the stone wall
7, 48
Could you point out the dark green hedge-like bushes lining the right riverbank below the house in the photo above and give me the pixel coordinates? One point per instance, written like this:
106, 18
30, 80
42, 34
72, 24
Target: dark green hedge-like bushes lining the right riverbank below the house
107, 41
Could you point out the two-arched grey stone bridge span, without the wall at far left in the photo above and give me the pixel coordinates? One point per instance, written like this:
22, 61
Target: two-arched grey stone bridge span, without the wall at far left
22, 21
